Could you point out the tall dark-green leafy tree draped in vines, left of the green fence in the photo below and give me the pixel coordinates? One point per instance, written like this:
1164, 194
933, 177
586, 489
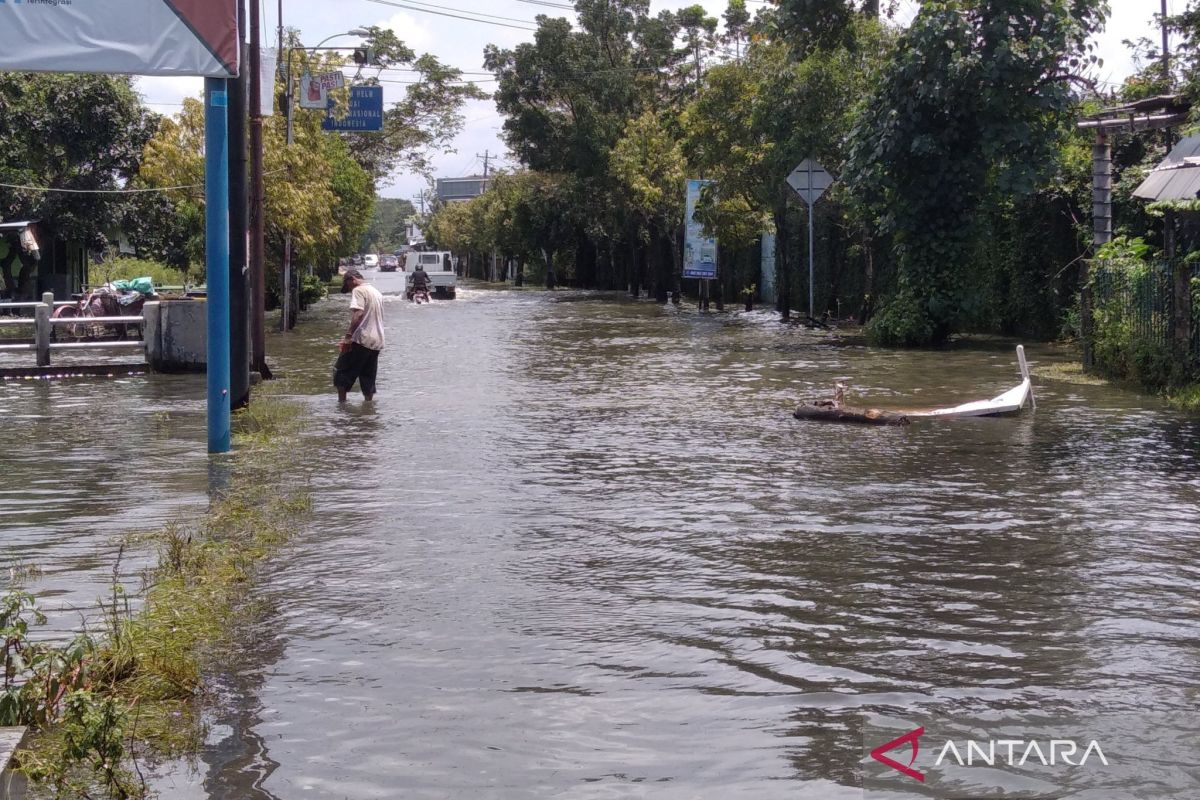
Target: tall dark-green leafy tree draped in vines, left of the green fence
973, 94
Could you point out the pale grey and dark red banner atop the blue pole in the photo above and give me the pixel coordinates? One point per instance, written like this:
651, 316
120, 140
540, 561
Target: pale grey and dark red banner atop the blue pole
148, 38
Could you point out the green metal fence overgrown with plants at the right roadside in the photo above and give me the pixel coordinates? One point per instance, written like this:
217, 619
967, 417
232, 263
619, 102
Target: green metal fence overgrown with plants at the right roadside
1136, 304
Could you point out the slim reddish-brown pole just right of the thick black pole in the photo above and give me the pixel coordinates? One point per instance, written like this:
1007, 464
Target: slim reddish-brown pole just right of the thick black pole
257, 236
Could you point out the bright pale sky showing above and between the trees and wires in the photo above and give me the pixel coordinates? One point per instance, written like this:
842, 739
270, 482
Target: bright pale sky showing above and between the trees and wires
460, 44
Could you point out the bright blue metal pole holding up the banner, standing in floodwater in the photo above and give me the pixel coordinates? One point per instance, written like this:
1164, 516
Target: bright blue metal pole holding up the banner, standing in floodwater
217, 257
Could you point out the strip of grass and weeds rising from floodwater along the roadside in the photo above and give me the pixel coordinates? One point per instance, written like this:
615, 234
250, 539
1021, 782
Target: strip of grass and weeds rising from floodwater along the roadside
109, 701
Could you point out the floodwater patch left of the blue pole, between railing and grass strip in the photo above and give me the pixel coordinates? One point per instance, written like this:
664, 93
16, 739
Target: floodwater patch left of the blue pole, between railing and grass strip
86, 462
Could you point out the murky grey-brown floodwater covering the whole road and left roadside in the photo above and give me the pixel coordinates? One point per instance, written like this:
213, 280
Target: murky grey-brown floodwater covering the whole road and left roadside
579, 549
